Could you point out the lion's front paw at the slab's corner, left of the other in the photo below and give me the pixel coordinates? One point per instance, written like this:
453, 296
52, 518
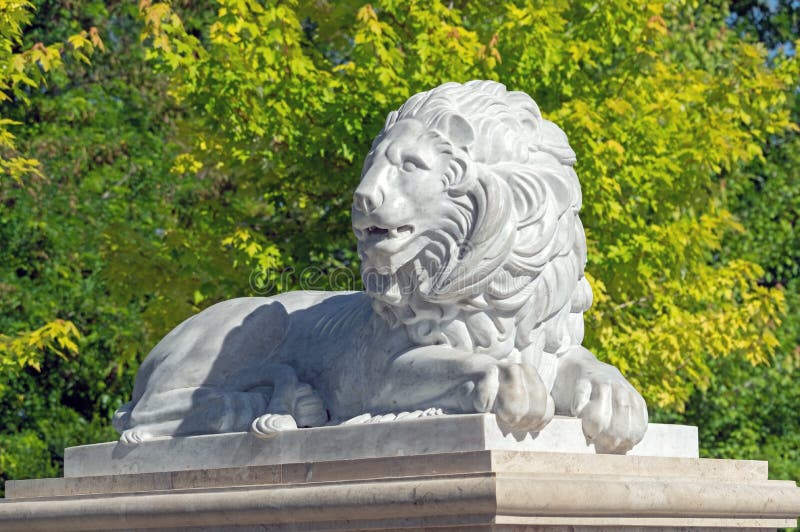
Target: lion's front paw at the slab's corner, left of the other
516, 395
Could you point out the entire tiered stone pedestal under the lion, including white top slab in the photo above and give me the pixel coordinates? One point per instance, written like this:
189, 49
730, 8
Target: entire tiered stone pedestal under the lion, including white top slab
481, 483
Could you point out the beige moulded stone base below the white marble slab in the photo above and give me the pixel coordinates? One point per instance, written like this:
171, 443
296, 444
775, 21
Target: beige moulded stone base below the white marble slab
478, 490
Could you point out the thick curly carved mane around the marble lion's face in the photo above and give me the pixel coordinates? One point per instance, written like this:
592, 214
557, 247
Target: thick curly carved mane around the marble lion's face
504, 274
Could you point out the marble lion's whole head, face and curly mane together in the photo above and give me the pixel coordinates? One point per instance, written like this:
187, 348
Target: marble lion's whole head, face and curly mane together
467, 224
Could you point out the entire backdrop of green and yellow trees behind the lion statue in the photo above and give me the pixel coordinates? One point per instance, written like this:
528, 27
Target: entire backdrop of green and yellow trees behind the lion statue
159, 158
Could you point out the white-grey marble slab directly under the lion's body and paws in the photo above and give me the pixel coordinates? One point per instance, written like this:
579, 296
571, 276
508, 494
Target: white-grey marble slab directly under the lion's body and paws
424, 436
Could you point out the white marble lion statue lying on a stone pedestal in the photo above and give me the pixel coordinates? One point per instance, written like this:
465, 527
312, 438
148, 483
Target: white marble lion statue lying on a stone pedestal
473, 259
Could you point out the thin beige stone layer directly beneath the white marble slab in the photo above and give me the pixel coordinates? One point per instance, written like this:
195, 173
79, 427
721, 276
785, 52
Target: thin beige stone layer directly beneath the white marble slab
532, 463
